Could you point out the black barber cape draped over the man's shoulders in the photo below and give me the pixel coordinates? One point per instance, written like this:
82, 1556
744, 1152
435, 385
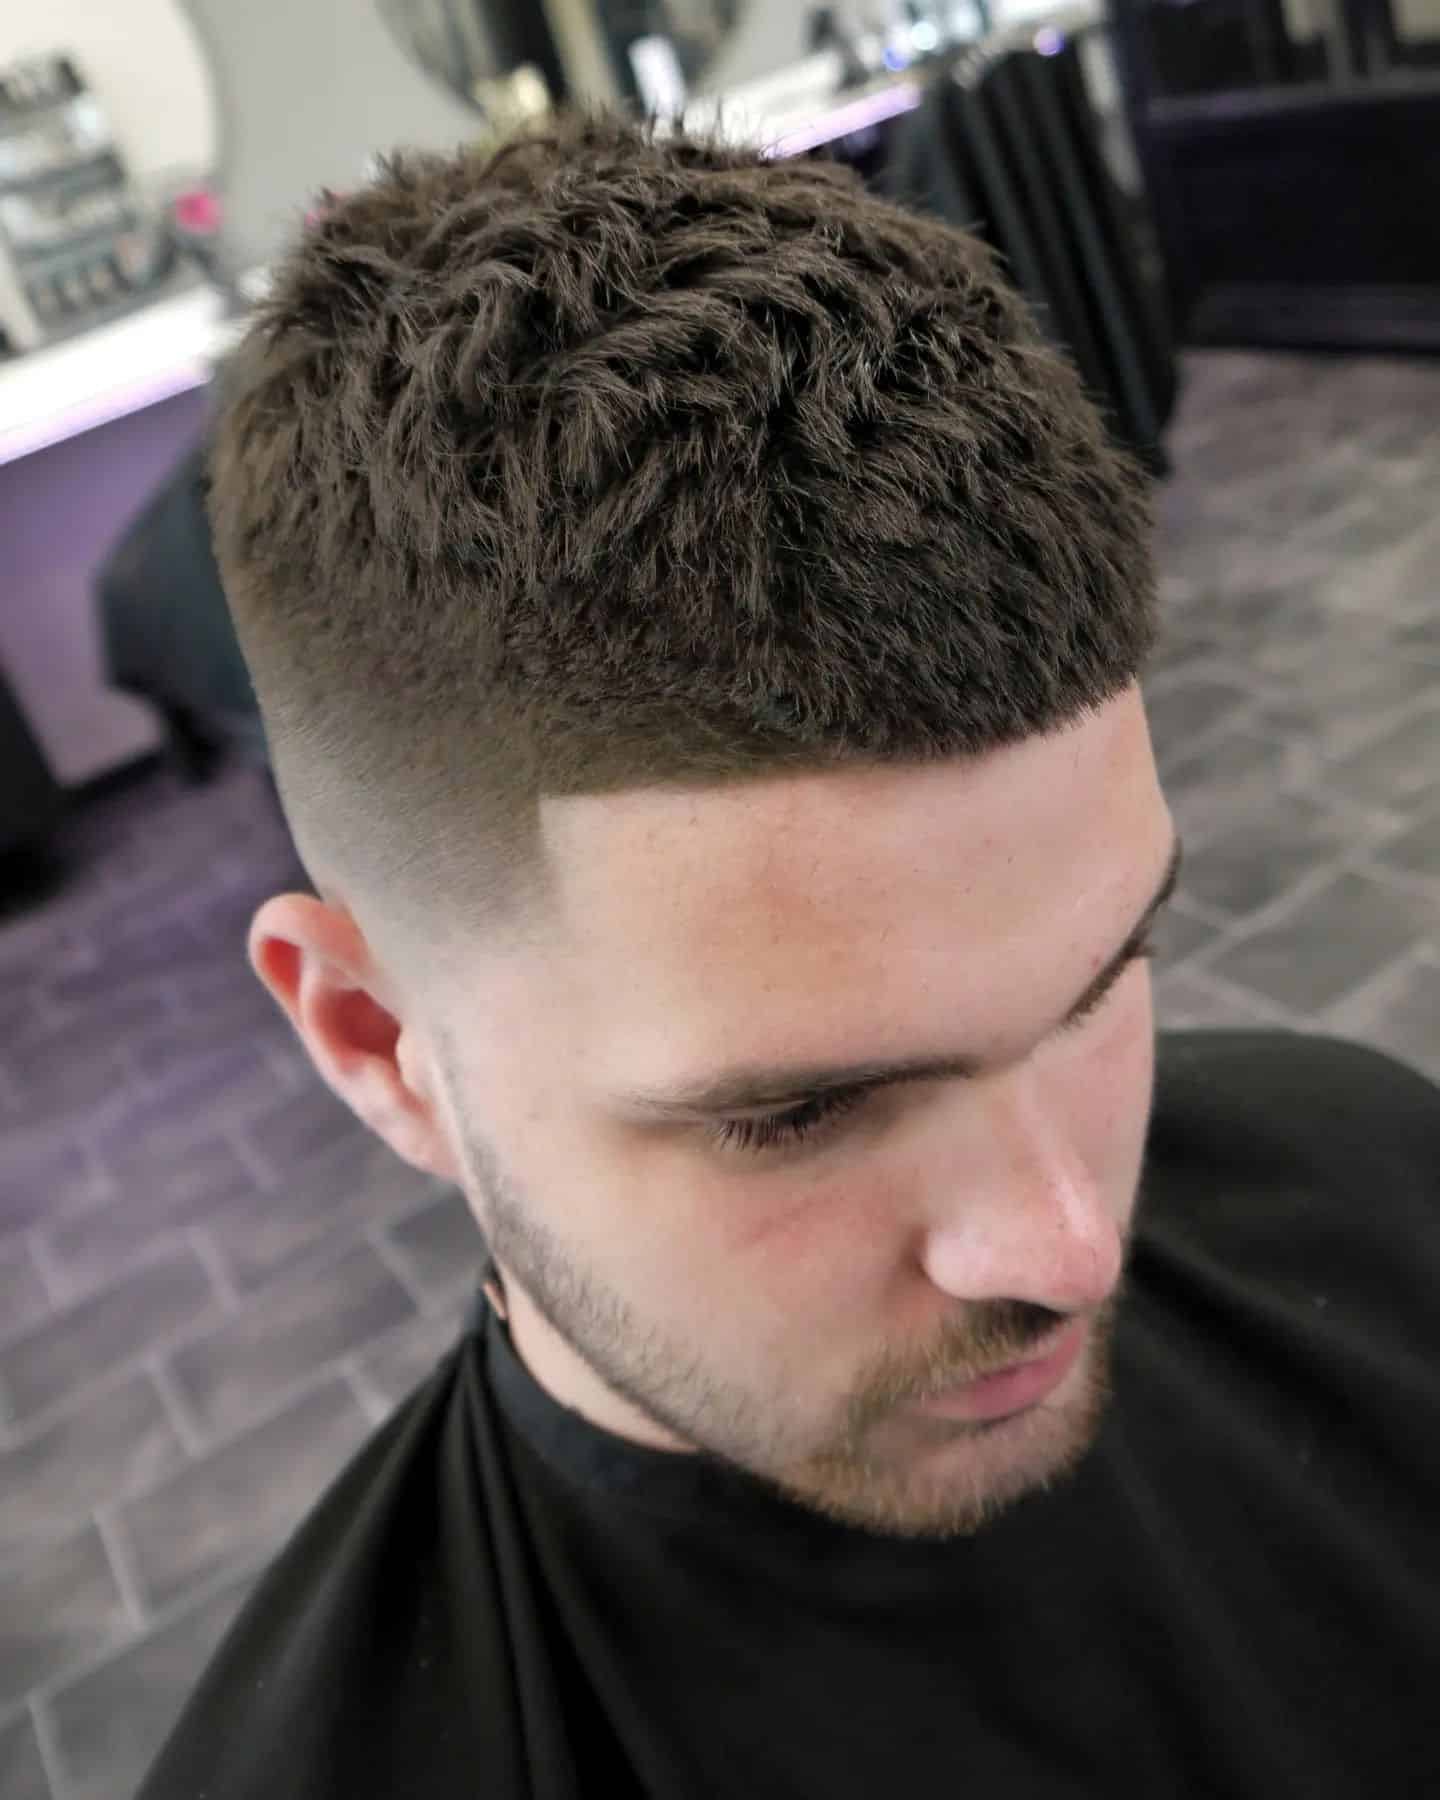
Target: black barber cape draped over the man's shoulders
1236, 1594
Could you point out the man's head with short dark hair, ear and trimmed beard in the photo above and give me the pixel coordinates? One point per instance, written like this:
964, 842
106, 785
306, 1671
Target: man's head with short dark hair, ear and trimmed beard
697, 625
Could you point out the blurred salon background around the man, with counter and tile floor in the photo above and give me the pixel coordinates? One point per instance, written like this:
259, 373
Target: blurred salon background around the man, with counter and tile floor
213, 1281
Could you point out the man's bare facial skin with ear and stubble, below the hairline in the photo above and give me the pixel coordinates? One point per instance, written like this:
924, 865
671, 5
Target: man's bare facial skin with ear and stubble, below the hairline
789, 1308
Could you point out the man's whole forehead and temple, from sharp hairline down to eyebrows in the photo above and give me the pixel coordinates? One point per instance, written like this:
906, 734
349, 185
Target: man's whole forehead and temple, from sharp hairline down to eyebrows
859, 913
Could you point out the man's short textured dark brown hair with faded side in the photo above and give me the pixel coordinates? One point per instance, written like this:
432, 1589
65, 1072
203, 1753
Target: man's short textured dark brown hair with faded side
613, 458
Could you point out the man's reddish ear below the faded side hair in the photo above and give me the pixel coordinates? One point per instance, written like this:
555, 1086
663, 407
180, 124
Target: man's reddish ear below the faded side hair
319, 969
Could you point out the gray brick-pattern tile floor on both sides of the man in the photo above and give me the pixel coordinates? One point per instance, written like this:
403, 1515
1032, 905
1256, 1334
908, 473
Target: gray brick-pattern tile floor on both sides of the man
213, 1282
